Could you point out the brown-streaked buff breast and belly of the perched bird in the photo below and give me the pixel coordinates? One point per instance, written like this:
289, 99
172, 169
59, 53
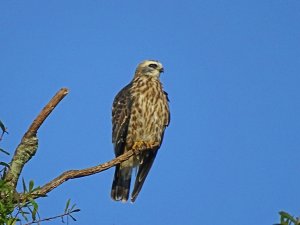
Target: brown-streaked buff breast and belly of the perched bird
149, 112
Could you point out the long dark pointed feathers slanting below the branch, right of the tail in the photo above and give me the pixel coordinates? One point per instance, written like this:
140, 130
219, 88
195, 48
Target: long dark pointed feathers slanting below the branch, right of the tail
146, 164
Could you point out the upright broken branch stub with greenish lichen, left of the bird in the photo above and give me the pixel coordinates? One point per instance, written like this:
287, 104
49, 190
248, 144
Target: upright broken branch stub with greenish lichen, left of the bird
29, 143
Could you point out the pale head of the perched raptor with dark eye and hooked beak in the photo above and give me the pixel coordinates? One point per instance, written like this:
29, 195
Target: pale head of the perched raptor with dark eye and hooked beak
151, 68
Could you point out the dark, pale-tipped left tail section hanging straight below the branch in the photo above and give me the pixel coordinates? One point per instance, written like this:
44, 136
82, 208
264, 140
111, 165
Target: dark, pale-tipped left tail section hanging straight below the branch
121, 184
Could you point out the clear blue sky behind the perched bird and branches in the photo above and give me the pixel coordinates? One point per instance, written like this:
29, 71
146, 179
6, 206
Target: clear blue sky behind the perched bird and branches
232, 71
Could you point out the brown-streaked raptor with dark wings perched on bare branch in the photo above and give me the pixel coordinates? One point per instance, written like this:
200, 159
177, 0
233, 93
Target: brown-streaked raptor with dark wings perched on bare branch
140, 115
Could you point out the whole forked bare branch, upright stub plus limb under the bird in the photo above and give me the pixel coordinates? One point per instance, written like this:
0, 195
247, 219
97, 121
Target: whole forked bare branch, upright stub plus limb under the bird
28, 147
